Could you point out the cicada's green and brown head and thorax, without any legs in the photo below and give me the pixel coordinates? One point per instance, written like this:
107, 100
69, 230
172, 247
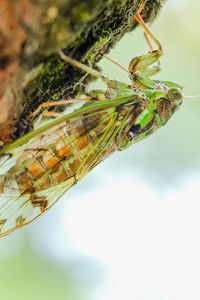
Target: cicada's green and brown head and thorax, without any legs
156, 107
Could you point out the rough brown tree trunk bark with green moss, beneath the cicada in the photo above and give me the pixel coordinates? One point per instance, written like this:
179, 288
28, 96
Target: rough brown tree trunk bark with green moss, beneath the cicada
32, 31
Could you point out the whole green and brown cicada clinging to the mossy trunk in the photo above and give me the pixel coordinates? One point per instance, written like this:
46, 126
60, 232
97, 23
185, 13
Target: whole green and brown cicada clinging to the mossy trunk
39, 167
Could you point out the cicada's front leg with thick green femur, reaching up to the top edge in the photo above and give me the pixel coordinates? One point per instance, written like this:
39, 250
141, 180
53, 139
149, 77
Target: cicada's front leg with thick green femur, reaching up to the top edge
140, 64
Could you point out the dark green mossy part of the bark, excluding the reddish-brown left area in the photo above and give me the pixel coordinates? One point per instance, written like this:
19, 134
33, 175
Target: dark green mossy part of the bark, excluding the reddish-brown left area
83, 28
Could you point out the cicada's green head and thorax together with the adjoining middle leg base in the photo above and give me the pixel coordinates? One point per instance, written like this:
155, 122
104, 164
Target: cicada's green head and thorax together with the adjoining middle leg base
155, 103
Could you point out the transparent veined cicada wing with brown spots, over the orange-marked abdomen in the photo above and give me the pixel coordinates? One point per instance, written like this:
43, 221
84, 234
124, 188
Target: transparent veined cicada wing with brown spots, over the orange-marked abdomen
36, 174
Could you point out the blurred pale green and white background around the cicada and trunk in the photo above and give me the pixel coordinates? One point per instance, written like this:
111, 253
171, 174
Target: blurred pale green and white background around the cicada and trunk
131, 228
